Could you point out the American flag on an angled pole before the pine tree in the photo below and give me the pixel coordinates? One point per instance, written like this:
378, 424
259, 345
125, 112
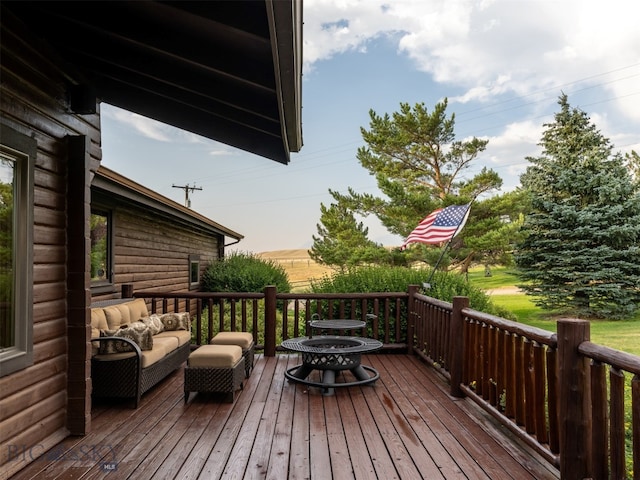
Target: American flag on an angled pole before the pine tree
439, 226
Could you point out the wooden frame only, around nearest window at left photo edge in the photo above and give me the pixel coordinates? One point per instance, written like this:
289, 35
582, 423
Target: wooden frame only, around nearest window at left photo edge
22, 150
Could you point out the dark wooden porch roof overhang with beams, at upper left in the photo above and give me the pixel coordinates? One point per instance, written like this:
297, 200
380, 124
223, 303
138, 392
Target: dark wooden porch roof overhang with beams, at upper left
229, 71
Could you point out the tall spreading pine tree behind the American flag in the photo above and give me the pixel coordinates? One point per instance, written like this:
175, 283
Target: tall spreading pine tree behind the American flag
420, 166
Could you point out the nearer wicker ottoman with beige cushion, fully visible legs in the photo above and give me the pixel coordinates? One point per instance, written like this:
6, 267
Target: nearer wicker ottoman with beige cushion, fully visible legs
214, 368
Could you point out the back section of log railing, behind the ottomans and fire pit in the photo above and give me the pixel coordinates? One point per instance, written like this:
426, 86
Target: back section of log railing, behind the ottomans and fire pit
273, 317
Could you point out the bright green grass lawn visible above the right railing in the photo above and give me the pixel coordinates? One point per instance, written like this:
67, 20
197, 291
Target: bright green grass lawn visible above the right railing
619, 334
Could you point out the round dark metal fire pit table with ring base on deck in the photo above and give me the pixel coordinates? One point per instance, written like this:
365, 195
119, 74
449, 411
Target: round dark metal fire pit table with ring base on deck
331, 354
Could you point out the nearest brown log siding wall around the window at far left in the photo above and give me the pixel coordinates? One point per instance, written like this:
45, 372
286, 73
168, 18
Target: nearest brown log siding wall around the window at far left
34, 401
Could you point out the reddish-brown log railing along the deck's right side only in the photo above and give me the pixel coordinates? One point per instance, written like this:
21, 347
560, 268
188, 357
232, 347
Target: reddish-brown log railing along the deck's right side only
551, 390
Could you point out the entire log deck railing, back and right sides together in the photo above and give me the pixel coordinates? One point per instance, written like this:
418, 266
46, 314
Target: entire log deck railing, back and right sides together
551, 390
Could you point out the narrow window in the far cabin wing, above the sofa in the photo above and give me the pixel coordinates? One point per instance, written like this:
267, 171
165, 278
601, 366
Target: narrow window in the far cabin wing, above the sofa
101, 248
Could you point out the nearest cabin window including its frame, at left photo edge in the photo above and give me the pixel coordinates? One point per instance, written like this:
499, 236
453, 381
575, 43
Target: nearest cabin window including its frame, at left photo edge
17, 158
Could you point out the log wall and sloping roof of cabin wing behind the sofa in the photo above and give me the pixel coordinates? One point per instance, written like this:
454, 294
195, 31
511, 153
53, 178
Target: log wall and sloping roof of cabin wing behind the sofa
151, 239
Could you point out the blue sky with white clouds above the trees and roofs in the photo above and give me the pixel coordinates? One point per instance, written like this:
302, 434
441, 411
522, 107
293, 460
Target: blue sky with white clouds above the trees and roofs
501, 64
